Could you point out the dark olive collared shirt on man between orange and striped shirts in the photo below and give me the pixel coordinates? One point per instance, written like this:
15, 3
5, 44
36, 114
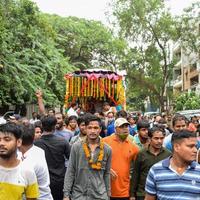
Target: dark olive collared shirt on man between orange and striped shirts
144, 161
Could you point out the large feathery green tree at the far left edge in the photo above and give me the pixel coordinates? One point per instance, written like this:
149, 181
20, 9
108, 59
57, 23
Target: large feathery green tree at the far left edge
29, 56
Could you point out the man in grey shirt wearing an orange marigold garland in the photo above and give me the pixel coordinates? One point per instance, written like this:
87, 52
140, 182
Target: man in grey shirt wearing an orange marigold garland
88, 173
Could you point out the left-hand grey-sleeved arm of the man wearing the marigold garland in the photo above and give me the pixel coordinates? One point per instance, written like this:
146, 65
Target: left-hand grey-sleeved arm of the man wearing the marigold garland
70, 174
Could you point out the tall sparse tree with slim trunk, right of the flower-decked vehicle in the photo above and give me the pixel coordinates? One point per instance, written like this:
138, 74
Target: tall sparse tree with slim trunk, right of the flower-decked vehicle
148, 27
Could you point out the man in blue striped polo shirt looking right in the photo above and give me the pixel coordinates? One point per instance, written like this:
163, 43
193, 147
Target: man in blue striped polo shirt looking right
177, 177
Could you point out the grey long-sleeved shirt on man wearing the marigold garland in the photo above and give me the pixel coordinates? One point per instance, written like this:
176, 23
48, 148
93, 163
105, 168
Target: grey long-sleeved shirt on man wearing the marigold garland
84, 182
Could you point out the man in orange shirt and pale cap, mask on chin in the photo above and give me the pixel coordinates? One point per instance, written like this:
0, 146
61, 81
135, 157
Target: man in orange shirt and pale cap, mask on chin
123, 153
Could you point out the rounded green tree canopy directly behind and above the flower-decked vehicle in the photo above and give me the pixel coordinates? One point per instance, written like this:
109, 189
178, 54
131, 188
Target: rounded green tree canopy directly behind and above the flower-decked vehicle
87, 43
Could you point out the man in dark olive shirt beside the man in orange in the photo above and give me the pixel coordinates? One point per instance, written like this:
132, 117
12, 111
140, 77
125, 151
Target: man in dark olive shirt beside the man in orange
146, 158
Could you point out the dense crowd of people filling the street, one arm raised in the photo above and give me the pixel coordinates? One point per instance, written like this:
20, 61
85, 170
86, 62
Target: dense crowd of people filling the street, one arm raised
106, 155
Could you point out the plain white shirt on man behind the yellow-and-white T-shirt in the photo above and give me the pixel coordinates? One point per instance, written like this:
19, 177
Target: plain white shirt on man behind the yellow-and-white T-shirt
35, 157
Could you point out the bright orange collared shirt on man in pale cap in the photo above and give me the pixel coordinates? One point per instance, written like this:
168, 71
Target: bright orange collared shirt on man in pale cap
123, 154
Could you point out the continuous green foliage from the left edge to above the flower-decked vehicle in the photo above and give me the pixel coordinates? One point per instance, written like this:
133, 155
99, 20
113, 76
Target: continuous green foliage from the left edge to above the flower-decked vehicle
37, 50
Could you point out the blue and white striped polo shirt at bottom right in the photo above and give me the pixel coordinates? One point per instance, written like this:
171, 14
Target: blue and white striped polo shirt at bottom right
164, 183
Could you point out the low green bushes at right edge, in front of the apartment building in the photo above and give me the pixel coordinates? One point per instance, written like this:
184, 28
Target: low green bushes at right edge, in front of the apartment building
187, 101
